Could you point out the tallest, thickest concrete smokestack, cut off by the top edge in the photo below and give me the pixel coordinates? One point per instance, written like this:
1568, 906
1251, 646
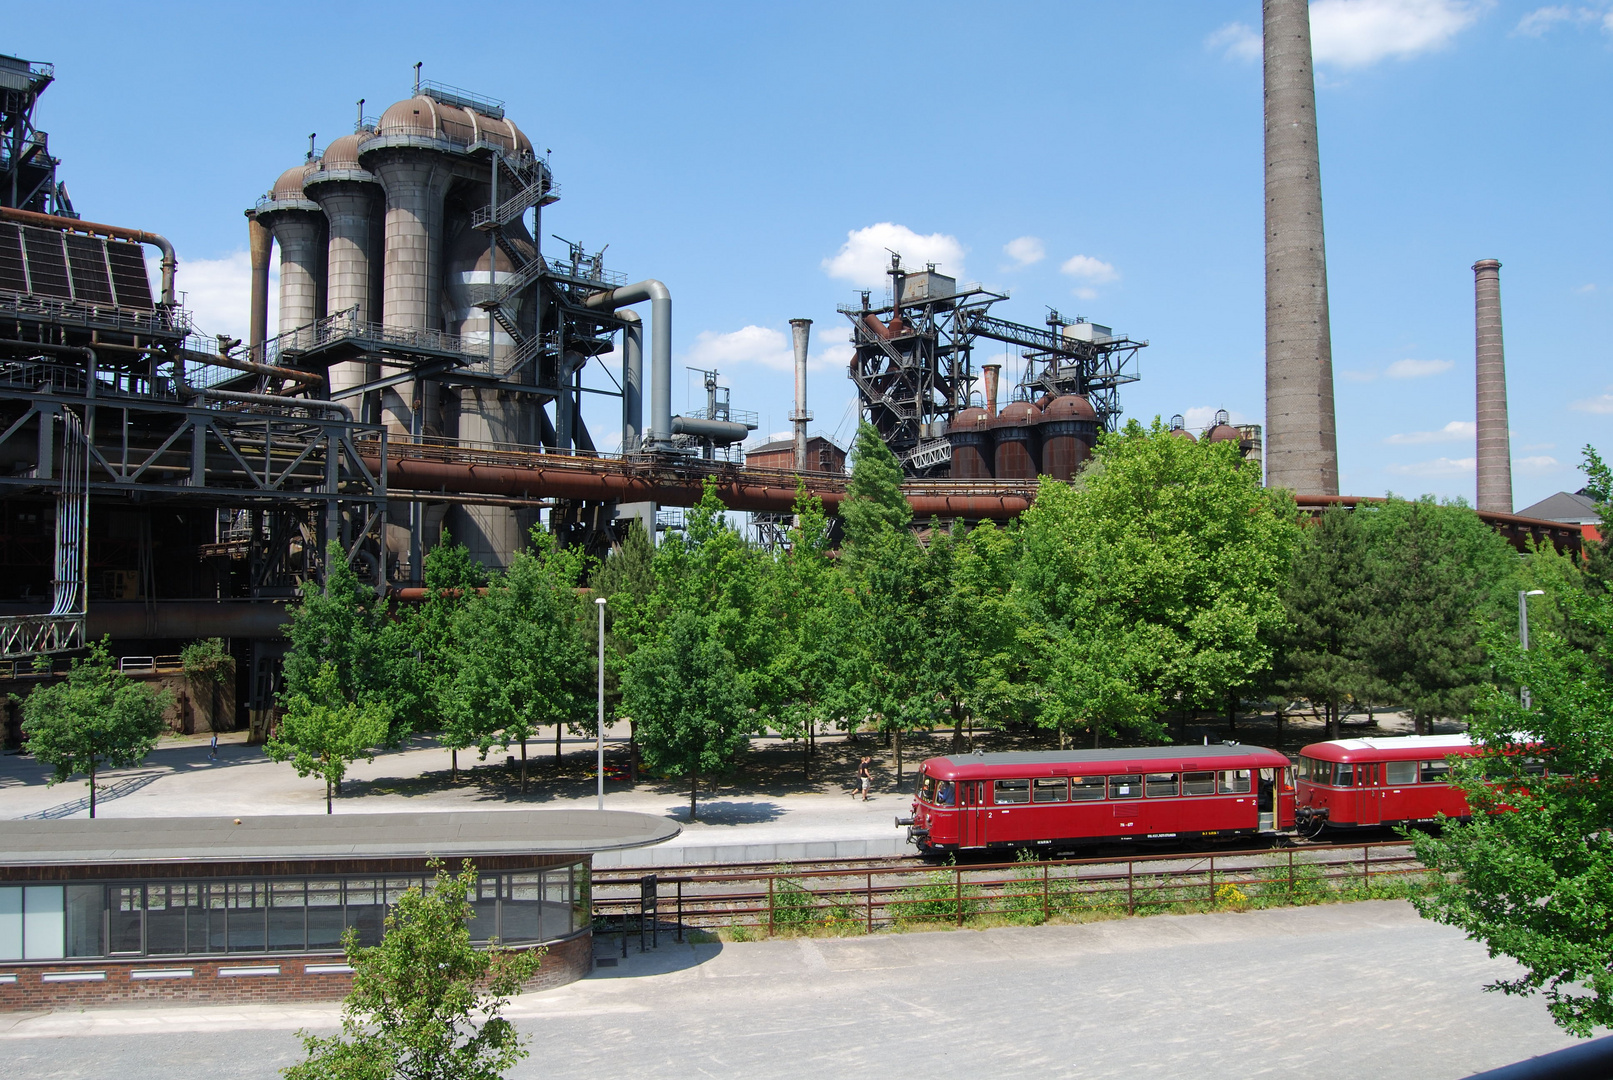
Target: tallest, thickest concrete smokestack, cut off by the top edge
1302, 447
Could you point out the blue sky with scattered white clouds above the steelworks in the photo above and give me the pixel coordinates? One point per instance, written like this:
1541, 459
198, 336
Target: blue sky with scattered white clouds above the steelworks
1102, 159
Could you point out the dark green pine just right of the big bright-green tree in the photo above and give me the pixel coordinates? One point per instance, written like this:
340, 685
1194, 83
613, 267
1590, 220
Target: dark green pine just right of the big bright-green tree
1328, 599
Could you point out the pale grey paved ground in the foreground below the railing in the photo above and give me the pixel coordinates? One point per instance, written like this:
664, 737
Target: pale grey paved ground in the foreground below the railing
1346, 991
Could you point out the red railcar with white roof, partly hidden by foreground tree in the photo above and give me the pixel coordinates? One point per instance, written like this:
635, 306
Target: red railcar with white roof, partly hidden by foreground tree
1367, 783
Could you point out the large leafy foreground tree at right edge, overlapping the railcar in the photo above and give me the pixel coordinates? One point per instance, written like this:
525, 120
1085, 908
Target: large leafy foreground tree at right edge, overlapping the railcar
1532, 874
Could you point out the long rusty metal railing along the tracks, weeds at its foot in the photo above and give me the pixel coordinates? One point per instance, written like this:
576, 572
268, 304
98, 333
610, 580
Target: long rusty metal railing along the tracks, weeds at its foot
867, 899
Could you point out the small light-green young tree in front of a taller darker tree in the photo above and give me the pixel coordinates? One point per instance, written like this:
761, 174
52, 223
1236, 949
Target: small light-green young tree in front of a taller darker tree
322, 733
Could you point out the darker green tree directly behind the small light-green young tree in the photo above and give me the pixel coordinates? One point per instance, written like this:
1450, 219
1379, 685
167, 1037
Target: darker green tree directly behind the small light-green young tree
346, 625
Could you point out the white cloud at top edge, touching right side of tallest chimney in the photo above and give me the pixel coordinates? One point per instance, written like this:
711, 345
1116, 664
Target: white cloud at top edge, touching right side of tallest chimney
1359, 33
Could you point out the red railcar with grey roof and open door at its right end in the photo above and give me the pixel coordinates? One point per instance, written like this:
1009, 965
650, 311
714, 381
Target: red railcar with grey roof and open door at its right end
1070, 799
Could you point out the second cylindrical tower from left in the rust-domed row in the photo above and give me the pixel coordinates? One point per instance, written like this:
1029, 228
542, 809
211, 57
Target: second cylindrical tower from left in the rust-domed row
348, 193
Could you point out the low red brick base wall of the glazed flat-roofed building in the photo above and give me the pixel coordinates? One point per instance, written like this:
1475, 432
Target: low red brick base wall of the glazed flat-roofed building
564, 963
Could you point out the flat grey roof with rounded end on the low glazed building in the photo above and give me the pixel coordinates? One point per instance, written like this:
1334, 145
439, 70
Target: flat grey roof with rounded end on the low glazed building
298, 837
